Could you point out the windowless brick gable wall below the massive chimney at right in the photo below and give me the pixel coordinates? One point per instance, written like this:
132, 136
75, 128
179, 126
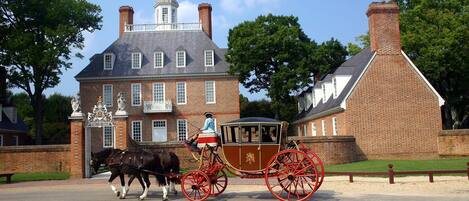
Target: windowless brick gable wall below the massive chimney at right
392, 111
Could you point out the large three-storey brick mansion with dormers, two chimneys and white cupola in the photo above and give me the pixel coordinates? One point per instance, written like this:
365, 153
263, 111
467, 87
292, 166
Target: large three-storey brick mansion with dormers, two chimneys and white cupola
170, 74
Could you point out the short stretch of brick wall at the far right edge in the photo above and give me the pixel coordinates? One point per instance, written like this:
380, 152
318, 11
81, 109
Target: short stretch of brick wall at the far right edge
453, 142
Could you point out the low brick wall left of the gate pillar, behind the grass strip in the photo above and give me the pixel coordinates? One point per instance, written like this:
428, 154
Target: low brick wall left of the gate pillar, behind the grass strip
43, 158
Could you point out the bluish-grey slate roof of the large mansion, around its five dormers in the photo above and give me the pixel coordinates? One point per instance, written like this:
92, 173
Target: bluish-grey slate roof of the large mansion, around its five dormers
193, 42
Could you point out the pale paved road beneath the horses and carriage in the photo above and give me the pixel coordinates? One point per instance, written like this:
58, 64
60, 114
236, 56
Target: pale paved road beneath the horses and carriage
447, 188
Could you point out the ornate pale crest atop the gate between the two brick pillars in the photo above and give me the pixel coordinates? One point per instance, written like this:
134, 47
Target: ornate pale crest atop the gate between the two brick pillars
100, 116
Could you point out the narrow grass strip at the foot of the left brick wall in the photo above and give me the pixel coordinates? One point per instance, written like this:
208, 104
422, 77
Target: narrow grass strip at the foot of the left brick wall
40, 176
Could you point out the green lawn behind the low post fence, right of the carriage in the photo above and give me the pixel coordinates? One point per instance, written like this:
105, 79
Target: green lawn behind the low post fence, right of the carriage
400, 165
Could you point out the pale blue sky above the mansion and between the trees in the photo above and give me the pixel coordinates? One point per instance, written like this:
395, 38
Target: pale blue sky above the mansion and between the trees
320, 20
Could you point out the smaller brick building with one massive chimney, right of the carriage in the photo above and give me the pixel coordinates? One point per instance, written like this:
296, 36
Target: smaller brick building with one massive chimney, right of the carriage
378, 96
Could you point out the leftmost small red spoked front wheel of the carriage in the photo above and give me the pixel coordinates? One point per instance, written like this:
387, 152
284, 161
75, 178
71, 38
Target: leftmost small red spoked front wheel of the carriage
195, 185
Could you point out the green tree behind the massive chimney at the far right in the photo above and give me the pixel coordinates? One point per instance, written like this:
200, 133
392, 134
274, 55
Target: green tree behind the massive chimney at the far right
435, 35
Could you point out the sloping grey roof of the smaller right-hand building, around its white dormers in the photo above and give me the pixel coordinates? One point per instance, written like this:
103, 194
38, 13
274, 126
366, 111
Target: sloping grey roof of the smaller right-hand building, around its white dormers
352, 67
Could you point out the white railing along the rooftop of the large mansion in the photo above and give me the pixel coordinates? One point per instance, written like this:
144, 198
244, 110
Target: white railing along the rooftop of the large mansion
163, 27
